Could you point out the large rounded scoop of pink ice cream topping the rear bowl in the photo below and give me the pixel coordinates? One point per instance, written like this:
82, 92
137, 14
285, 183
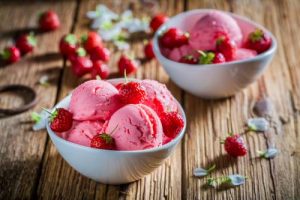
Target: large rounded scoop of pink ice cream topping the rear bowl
208, 28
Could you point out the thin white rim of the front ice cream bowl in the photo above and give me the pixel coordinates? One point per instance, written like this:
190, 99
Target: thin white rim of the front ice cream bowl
176, 140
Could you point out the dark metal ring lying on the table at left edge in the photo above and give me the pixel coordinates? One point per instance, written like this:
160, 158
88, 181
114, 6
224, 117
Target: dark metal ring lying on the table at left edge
27, 93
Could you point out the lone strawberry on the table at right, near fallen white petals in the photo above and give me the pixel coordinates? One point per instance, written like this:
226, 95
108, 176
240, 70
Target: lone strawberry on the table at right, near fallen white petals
235, 146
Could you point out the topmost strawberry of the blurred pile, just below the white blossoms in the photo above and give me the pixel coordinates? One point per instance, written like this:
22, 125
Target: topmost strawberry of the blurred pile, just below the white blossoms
91, 40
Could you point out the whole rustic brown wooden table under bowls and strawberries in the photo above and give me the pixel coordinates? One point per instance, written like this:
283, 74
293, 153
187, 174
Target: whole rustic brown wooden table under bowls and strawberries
31, 168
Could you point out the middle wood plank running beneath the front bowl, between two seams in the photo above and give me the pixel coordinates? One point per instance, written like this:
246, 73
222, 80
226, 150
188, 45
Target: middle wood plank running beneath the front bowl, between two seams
165, 182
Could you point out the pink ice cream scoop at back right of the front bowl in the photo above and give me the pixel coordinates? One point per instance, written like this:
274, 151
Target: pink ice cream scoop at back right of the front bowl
157, 93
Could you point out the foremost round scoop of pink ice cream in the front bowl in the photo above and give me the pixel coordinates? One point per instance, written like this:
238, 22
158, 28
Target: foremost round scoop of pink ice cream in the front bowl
135, 127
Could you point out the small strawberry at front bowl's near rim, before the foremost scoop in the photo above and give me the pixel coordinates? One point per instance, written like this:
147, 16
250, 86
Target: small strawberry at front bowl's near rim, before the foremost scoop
103, 141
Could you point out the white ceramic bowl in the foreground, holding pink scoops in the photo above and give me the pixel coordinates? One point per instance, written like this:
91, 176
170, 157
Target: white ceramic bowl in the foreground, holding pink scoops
112, 167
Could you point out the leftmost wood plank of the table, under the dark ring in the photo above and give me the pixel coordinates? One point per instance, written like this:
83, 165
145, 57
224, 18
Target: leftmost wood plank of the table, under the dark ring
21, 149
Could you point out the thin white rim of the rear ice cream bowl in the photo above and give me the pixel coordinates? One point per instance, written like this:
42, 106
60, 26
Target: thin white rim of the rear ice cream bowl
161, 29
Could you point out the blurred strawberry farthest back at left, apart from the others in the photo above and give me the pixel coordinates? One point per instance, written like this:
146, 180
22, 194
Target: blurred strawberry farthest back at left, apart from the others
49, 21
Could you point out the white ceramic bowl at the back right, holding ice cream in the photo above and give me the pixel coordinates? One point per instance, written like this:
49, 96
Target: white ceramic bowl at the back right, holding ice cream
214, 80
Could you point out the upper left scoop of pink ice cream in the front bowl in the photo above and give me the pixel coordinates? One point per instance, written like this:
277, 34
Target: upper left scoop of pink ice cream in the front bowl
94, 100
